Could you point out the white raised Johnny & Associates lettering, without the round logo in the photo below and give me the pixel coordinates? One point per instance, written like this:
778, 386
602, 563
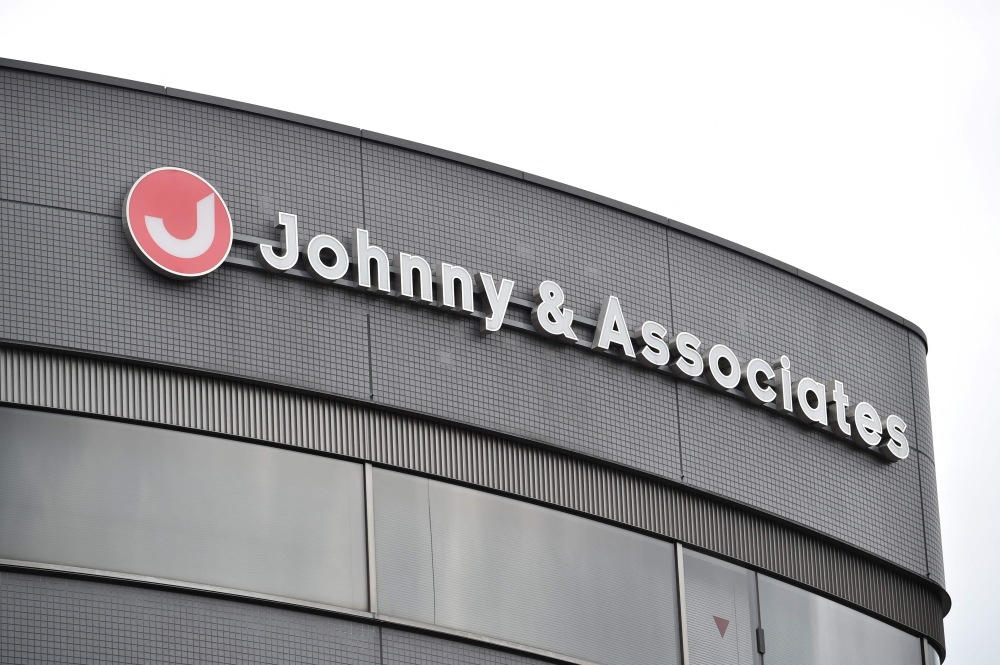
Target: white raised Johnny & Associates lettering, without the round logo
764, 383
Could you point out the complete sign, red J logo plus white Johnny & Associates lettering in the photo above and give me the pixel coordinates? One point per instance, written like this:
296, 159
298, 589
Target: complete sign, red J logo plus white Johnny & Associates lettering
179, 225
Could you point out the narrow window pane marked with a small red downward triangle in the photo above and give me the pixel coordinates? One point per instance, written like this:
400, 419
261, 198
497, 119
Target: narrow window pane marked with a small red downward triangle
721, 611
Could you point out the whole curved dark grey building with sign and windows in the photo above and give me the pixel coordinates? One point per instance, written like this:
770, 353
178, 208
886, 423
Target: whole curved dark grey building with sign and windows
277, 389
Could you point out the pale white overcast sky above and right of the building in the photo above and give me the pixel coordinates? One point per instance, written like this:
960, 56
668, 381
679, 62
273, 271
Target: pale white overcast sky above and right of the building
859, 141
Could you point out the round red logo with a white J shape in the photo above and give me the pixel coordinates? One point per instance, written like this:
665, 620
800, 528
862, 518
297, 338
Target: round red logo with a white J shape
177, 223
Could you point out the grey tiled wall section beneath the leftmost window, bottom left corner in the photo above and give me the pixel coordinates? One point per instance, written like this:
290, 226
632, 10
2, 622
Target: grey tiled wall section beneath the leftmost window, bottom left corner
48, 619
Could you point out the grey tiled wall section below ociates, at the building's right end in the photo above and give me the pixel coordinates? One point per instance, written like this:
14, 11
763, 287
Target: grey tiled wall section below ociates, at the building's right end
745, 453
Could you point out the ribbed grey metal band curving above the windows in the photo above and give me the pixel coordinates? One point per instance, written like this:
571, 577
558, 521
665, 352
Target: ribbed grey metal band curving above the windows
71, 383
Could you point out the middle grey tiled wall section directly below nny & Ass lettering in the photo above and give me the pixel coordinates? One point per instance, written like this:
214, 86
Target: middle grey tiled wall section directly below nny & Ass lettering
524, 386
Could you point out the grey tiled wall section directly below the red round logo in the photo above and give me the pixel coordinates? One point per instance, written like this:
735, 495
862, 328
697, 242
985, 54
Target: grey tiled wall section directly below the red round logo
71, 280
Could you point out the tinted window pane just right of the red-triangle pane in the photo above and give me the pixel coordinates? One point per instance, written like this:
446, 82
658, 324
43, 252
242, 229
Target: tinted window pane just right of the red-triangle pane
806, 629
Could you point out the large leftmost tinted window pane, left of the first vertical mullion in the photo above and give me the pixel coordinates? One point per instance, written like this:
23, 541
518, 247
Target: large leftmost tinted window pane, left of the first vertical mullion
110, 496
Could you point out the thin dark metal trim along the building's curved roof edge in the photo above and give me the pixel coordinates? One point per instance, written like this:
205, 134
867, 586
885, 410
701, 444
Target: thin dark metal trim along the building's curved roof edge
469, 161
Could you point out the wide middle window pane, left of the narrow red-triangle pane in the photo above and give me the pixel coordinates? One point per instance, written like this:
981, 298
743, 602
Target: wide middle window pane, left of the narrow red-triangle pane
527, 574
